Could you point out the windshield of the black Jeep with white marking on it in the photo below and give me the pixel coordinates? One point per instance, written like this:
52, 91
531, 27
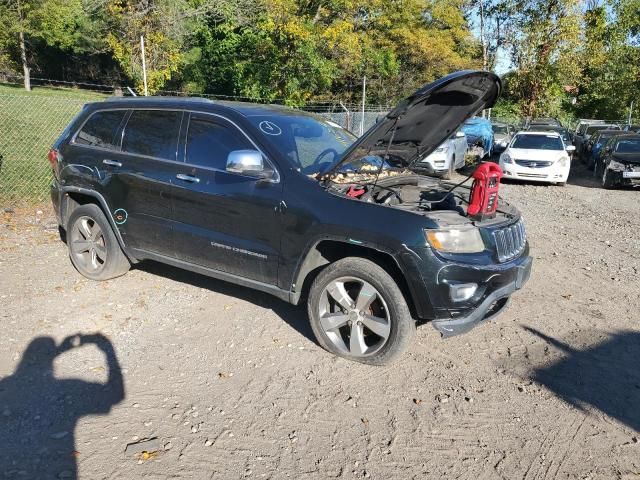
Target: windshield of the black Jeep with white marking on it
313, 145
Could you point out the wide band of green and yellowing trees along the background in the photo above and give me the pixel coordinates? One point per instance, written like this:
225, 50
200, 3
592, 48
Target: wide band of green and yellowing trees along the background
567, 59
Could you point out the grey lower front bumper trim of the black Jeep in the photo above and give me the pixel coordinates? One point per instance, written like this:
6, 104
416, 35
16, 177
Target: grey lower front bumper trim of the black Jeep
492, 304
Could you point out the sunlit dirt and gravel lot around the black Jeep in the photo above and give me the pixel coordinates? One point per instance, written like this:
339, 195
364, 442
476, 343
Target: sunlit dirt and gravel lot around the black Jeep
232, 384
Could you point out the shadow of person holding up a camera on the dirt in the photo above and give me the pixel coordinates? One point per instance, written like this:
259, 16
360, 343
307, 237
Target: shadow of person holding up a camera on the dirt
39, 412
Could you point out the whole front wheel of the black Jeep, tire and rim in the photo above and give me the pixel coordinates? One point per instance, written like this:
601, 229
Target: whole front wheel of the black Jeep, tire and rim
358, 312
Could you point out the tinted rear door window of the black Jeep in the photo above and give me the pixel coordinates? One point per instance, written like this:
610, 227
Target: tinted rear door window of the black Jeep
153, 133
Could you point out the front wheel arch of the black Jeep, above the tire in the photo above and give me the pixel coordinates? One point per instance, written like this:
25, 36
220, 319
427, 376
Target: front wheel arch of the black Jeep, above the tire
326, 251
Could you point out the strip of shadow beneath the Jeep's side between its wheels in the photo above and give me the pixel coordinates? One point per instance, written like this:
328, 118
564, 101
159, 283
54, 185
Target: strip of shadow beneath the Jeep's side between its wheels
295, 316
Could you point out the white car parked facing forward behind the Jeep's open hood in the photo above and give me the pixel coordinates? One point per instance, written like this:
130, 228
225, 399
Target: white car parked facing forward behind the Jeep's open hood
538, 157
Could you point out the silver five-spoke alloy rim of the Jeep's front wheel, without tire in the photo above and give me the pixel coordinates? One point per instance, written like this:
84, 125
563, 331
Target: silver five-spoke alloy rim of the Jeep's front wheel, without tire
354, 316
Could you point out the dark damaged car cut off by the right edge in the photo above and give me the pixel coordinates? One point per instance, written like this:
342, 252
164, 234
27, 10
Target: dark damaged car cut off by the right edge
620, 162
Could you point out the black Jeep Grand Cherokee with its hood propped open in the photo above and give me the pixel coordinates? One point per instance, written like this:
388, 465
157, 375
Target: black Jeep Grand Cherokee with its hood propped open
288, 203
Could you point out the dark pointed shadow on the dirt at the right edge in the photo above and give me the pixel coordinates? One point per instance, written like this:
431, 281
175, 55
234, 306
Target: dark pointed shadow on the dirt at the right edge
605, 376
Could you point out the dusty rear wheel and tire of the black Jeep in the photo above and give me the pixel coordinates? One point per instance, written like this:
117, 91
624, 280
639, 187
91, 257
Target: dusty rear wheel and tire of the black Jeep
93, 247
